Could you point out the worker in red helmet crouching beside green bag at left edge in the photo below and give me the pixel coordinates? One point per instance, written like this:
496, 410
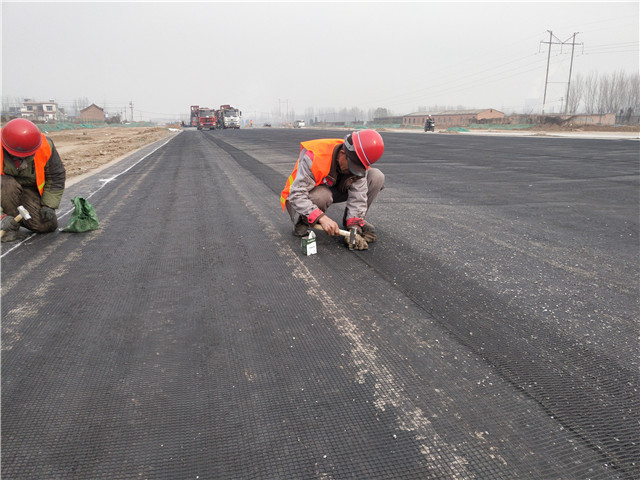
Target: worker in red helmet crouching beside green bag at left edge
32, 176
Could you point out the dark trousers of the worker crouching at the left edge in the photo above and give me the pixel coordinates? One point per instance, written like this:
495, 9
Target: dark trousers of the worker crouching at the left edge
13, 195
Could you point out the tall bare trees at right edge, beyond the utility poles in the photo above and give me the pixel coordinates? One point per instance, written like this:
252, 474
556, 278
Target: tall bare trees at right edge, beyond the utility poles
618, 92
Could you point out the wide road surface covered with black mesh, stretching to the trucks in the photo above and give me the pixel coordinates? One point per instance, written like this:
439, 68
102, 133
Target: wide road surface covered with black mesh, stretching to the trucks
490, 333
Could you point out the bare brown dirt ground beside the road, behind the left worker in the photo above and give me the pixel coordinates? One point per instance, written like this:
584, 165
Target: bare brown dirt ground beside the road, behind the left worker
87, 149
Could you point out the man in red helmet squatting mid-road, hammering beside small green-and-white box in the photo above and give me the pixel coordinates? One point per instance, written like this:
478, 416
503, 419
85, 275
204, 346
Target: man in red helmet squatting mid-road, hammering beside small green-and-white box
330, 171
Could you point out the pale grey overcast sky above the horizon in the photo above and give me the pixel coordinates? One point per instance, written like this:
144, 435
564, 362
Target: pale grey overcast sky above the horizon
265, 57
